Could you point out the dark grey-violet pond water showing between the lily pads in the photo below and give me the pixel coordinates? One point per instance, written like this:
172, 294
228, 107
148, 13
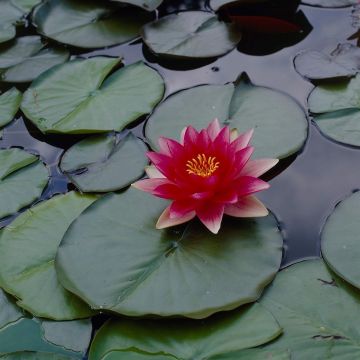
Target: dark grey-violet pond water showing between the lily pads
310, 184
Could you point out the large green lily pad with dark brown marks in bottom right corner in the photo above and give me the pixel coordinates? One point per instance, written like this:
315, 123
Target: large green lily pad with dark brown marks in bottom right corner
316, 311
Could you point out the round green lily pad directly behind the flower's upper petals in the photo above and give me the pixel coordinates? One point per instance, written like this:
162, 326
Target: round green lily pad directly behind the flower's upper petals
240, 105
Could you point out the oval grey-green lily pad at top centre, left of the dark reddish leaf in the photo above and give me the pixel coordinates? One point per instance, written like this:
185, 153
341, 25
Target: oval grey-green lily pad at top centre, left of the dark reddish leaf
190, 34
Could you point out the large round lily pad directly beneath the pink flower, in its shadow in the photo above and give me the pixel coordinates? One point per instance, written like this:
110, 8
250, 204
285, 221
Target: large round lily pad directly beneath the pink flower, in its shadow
113, 257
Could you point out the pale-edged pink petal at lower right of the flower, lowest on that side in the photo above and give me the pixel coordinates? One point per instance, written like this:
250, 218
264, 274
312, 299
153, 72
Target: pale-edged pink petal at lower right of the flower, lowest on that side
248, 206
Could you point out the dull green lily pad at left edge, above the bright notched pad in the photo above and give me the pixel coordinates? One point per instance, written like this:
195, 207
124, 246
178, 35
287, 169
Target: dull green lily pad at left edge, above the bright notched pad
26, 58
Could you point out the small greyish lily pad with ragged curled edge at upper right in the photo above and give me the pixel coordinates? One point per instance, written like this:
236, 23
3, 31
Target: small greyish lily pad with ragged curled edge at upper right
344, 61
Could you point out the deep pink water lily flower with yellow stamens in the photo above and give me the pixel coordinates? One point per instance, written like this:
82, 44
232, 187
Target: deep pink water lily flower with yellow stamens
207, 174
